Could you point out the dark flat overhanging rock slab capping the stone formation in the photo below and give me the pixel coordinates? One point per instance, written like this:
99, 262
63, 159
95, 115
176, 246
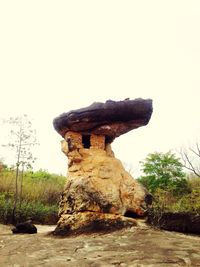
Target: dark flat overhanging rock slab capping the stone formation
112, 118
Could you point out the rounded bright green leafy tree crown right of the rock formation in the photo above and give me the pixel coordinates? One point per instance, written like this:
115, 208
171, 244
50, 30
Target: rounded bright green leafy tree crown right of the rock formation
163, 171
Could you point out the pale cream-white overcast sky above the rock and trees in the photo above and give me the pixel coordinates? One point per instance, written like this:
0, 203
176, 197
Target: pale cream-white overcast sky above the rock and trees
61, 55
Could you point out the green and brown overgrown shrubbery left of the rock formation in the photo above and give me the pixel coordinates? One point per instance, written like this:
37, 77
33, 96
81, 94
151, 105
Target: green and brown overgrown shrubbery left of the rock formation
39, 199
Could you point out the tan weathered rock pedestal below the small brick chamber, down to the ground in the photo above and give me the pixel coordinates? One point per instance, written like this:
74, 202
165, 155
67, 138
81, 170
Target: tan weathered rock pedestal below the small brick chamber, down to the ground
99, 192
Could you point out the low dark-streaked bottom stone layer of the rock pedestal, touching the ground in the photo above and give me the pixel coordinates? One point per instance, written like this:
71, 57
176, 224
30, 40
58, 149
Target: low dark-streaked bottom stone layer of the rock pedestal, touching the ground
91, 222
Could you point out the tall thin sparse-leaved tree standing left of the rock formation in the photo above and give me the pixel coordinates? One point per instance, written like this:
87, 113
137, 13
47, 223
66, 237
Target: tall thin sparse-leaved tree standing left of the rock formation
23, 137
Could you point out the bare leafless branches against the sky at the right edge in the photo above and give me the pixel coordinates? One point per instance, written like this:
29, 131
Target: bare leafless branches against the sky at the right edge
191, 158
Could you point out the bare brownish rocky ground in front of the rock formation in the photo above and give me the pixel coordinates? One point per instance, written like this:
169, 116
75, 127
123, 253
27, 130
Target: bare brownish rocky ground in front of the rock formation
138, 246
